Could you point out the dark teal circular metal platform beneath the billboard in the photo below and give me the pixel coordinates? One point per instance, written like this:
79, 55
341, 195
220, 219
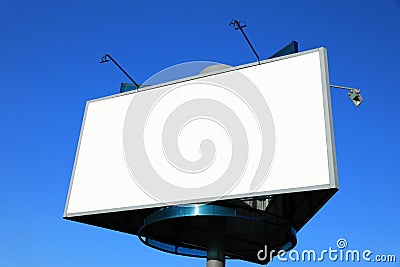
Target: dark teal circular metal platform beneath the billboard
192, 230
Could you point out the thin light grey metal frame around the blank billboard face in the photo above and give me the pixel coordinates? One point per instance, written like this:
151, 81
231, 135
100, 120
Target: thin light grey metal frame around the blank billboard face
330, 141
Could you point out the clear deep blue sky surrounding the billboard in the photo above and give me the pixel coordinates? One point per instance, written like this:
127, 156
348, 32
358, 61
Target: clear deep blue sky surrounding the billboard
49, 68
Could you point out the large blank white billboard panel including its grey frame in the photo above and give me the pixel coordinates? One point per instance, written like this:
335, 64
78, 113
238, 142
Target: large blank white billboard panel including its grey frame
252, 130
